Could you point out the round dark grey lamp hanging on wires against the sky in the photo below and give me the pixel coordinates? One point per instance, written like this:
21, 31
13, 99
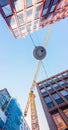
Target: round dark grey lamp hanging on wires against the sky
39, 52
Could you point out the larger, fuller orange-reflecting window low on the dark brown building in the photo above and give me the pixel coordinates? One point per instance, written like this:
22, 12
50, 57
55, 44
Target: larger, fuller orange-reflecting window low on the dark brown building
59, 122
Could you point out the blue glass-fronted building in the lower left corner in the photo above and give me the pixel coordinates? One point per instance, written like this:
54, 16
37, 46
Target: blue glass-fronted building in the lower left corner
11, 117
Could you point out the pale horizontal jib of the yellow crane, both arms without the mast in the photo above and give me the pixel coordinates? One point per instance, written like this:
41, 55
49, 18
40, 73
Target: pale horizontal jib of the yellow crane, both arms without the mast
37, 70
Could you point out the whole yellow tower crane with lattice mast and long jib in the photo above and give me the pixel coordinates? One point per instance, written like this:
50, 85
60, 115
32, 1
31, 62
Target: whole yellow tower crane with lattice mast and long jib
31, 98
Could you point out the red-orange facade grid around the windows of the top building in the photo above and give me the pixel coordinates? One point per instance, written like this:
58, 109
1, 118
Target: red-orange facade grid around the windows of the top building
33, 6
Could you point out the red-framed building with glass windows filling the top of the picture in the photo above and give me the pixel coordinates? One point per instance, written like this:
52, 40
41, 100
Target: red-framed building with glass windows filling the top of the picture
26, 16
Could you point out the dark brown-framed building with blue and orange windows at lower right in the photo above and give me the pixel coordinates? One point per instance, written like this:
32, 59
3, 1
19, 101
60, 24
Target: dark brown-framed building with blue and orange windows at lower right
53, 94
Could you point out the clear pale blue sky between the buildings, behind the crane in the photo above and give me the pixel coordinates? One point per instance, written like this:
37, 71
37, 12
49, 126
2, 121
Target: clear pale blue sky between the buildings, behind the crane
18, 66
